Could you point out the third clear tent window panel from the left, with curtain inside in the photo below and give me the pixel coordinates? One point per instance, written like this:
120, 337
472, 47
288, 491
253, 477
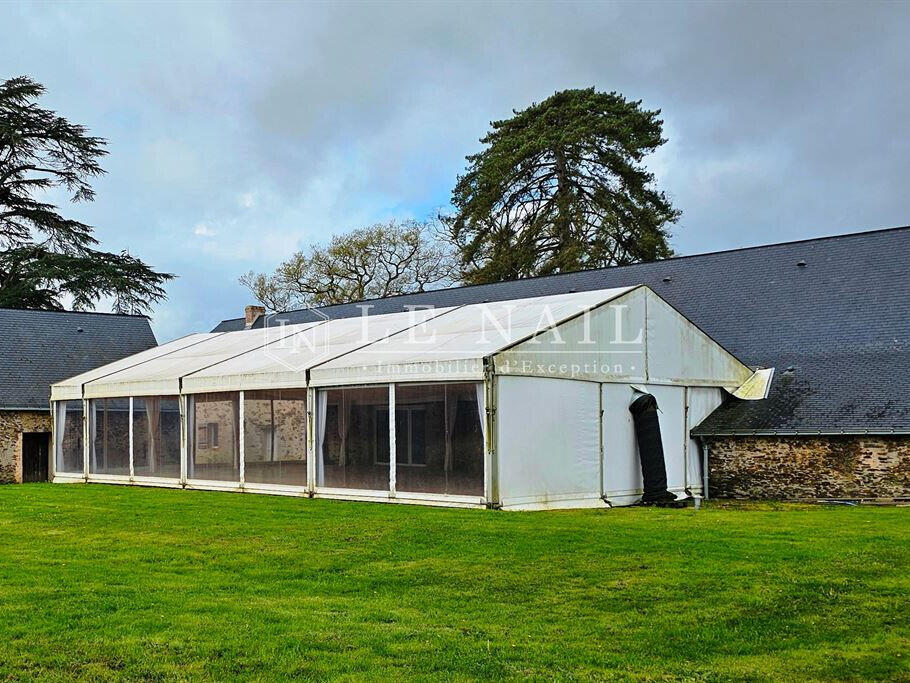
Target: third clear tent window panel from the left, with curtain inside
156, 437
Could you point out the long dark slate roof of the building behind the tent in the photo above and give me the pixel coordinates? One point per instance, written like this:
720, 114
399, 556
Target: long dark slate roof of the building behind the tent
841, 321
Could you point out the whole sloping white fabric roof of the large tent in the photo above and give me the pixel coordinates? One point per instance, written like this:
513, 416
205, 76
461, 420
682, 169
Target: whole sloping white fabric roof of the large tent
441, 344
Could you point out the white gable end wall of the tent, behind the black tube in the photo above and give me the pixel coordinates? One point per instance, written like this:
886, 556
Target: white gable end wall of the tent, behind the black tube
634, 338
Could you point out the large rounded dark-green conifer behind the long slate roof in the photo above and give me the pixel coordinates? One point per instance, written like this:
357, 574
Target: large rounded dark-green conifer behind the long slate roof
561, 186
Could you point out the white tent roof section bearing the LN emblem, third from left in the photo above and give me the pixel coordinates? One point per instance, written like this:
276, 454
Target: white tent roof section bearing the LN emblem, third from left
284, 364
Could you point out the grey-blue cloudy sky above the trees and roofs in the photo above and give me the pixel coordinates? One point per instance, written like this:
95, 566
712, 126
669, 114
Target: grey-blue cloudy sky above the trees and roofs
239, 133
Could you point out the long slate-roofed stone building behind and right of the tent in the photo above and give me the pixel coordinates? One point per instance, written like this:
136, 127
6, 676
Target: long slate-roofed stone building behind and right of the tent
830, 315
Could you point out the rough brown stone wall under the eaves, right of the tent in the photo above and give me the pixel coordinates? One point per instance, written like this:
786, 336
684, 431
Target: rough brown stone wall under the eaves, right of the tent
797, 467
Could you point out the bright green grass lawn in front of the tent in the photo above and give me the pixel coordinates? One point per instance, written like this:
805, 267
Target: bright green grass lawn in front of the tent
108, 582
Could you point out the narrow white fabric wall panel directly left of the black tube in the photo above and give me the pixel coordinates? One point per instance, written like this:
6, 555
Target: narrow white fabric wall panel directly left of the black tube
622, 468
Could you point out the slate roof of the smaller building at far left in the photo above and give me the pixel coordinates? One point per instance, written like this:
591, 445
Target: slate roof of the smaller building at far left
40, 348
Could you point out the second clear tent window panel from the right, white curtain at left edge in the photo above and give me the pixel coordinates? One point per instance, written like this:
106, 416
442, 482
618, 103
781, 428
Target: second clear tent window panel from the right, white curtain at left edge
350, 439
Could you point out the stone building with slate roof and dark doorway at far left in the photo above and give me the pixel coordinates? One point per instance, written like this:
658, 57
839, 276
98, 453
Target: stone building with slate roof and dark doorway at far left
37, 349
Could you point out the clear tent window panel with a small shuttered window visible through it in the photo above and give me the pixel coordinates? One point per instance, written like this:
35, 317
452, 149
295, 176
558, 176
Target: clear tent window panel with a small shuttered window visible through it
215, 437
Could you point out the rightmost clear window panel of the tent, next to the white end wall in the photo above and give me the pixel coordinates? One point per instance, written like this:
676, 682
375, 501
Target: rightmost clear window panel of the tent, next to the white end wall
438, 439
